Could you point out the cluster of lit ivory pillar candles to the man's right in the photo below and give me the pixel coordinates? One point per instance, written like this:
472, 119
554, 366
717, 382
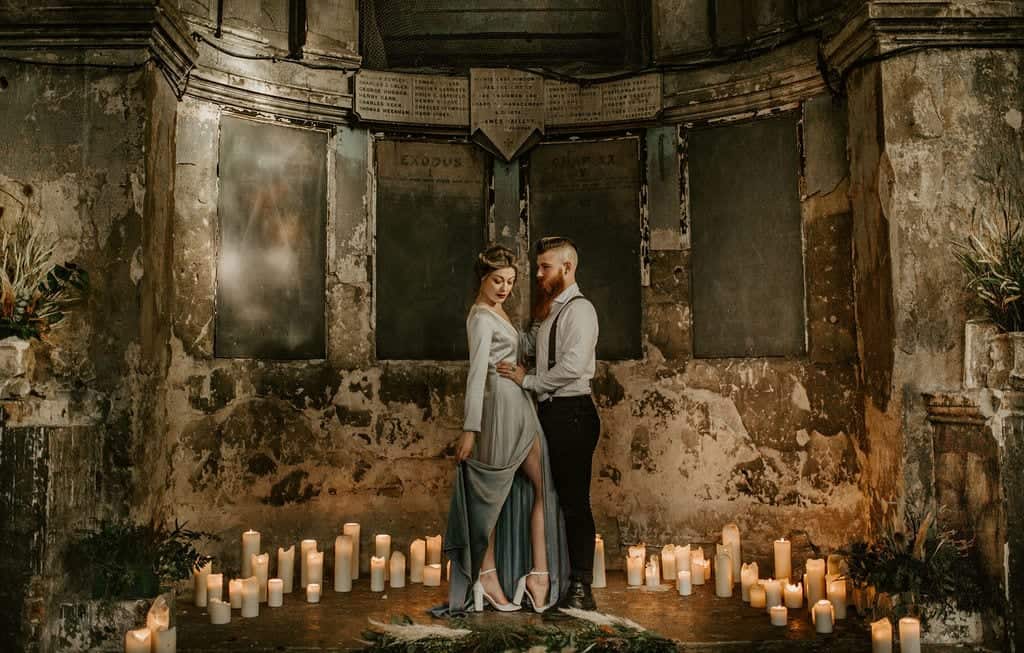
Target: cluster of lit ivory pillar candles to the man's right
824, 584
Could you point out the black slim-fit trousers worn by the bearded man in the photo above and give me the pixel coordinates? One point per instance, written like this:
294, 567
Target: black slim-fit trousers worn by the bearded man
572, 428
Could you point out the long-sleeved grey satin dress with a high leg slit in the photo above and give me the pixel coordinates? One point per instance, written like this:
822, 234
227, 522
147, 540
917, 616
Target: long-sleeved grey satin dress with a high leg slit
489, 494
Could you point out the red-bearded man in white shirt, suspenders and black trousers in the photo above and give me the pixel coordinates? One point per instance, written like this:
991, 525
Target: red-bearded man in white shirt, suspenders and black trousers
565, 337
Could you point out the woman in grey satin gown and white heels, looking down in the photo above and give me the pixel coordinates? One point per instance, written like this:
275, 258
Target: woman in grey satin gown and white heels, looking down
505, 530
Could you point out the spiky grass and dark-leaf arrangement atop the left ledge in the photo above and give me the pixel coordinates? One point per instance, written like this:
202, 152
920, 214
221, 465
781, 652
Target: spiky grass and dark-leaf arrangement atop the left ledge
35, 294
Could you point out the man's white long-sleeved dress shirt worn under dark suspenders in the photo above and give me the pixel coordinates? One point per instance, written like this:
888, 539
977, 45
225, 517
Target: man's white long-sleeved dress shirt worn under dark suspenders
575, 349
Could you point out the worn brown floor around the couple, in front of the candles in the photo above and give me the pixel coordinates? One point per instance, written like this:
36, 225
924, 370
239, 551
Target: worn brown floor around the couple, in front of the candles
699, 623
